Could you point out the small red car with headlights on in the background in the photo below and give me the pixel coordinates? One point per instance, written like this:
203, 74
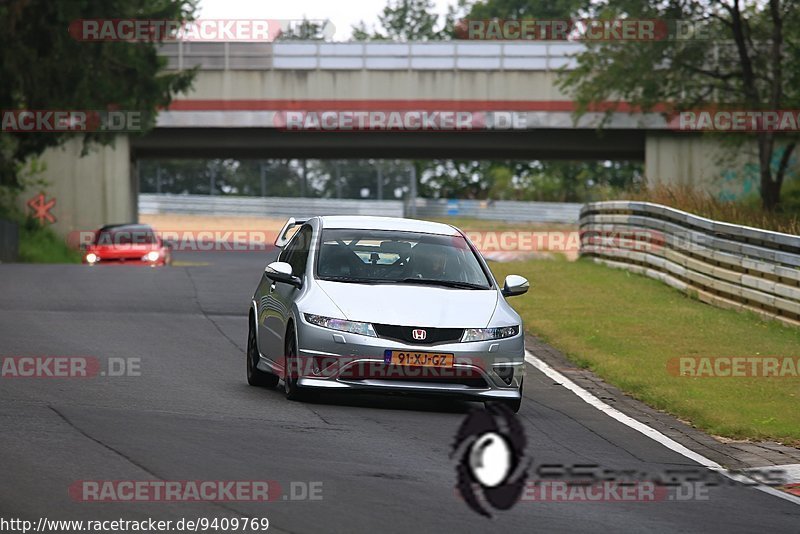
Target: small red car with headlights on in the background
135, 244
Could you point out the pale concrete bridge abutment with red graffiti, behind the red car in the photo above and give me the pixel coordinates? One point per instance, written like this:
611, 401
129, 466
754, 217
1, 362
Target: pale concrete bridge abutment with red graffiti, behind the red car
90, 191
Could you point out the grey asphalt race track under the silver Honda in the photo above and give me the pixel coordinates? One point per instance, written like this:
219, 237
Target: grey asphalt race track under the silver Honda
383, 461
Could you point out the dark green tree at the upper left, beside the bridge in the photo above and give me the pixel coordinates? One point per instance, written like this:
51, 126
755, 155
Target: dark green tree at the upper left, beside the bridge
44, 68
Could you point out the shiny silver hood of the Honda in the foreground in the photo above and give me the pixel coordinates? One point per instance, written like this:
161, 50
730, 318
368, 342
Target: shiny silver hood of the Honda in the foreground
412, 305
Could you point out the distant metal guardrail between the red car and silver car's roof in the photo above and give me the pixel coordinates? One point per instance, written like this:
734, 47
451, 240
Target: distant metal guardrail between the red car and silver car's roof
225, 206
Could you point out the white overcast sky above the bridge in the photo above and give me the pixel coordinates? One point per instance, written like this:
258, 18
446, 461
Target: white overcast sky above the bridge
343, 14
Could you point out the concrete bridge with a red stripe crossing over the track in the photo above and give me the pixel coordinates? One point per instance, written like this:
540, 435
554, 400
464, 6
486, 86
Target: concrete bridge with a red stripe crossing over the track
243, 92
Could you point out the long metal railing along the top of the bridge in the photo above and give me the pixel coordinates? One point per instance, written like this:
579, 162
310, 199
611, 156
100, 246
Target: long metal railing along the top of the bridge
316, 55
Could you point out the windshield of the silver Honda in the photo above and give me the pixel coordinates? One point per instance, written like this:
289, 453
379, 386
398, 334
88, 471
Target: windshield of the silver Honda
387, 256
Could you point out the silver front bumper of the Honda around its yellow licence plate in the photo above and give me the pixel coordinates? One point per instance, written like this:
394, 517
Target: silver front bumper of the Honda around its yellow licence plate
338, 361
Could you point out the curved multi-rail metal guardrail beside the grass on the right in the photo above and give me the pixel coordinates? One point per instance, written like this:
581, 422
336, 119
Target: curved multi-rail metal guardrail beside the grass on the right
723, 264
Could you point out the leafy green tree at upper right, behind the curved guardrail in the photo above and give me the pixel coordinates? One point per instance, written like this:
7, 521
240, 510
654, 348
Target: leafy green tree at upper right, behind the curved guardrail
753, 62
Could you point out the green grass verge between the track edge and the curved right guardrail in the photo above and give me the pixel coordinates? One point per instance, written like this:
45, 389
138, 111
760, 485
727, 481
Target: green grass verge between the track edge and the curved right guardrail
625, 328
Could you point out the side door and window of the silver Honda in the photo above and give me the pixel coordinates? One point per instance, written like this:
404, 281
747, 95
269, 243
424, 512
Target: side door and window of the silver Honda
280, 296
